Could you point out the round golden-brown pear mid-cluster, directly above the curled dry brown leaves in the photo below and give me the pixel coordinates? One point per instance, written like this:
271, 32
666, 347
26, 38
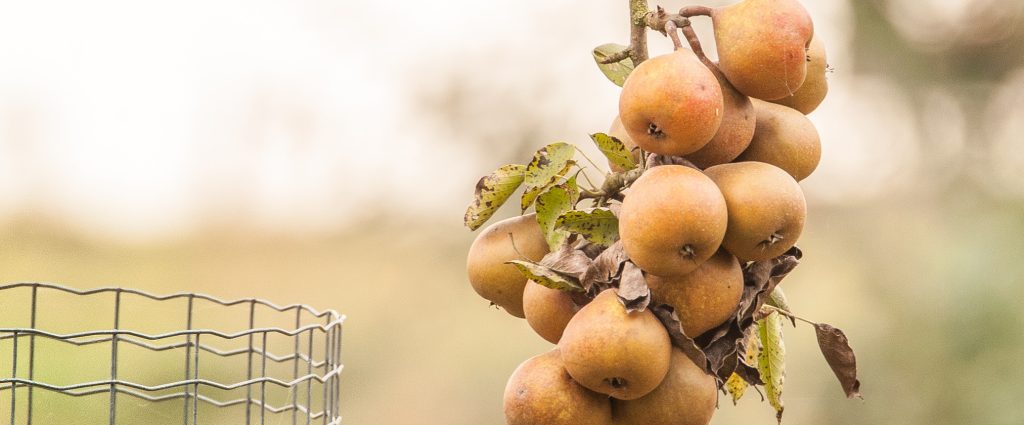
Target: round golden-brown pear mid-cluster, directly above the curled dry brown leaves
672, 220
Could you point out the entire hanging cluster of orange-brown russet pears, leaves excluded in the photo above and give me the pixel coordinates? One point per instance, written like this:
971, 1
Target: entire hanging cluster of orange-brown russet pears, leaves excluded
741, 127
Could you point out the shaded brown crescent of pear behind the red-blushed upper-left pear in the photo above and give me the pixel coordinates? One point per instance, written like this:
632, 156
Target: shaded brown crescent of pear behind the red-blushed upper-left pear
736, 132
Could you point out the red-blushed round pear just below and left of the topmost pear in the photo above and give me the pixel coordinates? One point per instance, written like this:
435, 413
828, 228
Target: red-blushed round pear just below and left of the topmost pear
671, 105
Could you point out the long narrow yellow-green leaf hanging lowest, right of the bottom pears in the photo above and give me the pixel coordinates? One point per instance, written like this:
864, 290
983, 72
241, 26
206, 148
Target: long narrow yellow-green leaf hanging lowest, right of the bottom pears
772, 361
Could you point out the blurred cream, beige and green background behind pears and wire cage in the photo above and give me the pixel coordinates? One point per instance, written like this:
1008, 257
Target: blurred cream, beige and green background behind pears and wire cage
324, 152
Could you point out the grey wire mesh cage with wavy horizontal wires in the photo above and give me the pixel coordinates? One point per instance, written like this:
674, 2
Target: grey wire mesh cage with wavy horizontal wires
114, 356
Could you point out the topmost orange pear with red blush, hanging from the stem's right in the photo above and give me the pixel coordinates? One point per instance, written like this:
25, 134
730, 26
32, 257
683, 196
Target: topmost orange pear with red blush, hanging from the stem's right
762, 47
